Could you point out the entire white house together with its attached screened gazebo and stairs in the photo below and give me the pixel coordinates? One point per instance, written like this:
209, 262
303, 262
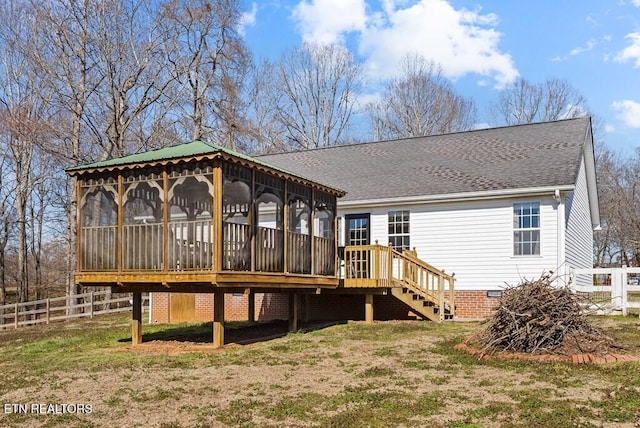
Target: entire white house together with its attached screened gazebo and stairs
352, 230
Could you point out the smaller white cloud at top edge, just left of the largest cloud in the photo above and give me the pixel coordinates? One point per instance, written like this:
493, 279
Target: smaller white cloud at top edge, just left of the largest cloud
327, 21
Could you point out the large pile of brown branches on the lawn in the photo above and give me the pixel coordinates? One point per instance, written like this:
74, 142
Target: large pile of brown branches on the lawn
536, 317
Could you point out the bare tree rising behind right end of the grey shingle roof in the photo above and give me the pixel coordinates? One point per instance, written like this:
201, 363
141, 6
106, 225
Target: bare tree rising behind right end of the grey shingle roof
525, 102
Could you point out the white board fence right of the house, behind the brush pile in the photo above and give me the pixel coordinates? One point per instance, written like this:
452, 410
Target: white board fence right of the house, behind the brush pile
612, 289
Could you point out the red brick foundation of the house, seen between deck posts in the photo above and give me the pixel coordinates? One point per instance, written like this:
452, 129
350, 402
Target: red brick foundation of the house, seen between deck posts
318, 307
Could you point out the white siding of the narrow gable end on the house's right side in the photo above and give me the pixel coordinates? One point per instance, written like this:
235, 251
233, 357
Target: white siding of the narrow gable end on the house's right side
579, 232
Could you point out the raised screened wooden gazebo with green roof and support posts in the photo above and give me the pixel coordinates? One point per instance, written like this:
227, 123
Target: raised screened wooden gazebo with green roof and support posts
198, 218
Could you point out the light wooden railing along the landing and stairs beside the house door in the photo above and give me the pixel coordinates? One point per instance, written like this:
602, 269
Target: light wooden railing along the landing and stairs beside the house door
375, 266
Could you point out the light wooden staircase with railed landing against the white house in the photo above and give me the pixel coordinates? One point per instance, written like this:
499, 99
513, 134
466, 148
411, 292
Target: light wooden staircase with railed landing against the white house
428, 291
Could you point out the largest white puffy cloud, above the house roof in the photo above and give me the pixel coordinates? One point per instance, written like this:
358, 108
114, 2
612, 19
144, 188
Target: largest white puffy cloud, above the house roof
462, 41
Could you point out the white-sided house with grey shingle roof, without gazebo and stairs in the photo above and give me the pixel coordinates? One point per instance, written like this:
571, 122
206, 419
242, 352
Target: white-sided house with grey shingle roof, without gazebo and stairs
492, 205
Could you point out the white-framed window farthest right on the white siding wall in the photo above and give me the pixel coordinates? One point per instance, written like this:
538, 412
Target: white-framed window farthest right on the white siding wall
526, 229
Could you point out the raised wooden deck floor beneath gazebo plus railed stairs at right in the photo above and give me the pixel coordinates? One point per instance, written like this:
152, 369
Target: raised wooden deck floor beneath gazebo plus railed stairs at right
363, 269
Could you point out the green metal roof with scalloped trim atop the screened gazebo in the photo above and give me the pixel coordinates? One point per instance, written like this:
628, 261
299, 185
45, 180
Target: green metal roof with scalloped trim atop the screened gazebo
184, 151
